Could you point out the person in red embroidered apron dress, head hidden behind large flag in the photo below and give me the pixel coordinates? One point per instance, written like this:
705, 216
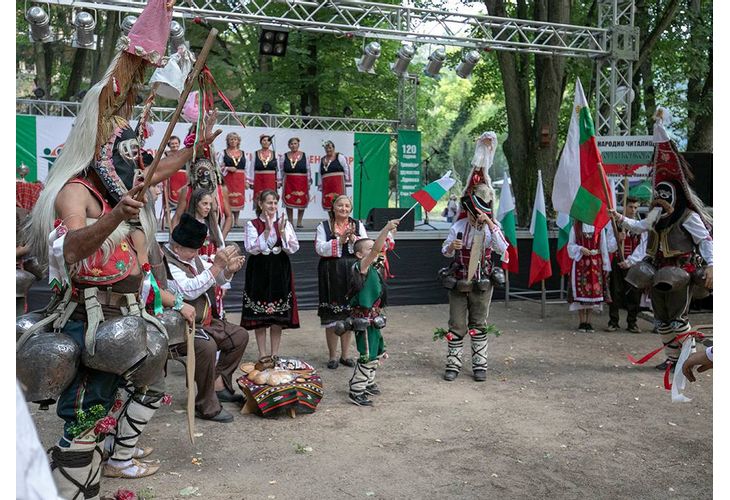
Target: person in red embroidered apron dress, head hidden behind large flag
589, 277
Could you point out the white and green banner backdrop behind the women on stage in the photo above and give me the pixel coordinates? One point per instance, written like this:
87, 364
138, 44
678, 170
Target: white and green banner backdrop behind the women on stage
40, 139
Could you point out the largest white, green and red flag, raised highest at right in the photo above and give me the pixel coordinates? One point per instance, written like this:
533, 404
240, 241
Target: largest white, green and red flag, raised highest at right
578, 189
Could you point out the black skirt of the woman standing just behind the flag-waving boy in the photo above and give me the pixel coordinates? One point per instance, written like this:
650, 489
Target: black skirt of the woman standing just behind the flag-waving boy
334, 282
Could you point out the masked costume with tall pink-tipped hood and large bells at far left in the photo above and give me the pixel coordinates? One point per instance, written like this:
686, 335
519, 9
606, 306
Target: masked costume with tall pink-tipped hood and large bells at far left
99, 303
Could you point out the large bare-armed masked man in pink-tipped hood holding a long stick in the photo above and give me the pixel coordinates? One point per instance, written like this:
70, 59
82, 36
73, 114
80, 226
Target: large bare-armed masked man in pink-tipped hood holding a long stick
82, 226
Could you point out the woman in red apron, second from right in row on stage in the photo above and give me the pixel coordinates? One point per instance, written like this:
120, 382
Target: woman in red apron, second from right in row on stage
294, 168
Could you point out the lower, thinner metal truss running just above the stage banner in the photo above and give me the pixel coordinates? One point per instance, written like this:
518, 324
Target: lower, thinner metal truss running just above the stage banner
364, 125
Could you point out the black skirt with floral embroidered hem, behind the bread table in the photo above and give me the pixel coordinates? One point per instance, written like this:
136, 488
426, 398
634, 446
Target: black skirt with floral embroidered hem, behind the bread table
268, 294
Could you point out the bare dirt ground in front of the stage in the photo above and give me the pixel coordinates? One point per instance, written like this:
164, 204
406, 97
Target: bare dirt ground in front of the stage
562, 415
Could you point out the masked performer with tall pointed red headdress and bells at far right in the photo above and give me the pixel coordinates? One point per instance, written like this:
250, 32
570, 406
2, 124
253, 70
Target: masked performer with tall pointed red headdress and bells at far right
679, 243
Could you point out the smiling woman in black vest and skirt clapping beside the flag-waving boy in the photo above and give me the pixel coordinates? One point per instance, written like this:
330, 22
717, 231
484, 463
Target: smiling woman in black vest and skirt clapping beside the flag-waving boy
334, 243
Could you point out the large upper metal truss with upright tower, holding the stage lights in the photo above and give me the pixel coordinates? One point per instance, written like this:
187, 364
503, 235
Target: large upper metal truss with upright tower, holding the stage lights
614, 43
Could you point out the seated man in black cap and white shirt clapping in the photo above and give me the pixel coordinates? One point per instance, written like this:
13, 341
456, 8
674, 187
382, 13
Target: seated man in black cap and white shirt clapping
193, 281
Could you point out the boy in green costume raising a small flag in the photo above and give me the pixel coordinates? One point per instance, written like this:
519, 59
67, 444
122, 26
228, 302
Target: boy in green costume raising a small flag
368, 299
